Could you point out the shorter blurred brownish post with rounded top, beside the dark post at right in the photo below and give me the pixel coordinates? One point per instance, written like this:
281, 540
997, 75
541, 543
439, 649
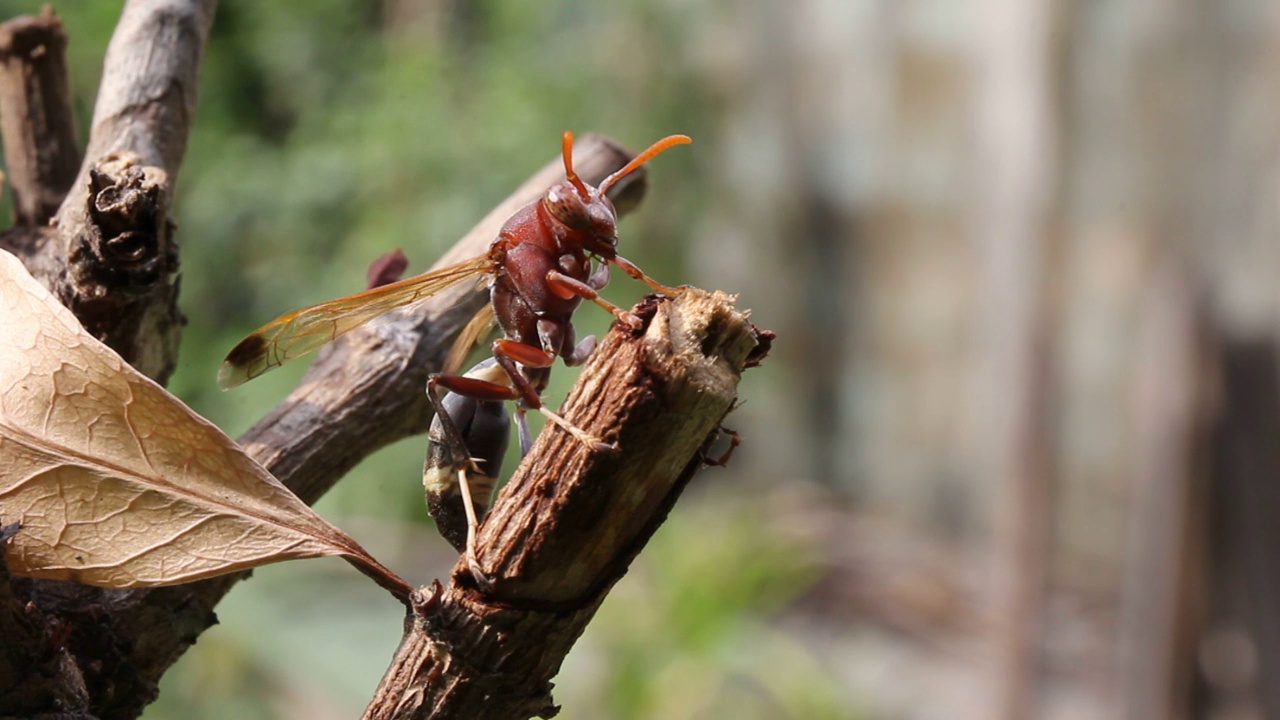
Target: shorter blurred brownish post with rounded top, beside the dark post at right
1165, 599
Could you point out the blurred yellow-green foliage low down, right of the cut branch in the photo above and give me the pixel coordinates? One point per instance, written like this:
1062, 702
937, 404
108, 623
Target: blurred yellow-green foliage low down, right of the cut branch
688, 634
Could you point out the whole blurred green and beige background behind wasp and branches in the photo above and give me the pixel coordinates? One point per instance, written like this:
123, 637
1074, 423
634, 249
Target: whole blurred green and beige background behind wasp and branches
1016, 452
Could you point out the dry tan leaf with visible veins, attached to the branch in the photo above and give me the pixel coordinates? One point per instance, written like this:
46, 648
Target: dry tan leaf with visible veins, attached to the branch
118, 484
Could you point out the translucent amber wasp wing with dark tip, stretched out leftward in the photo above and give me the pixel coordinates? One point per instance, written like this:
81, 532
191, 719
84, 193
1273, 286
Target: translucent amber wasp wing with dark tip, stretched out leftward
303, 331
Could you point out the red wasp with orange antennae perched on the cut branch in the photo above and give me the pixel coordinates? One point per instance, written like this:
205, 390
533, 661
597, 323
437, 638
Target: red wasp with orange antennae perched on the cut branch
540, 270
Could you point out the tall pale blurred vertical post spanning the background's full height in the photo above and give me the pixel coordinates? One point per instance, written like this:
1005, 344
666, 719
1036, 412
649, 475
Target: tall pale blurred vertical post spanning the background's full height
1016, 202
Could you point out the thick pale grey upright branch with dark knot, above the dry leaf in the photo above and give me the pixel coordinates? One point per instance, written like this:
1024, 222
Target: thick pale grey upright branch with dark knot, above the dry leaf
112, 258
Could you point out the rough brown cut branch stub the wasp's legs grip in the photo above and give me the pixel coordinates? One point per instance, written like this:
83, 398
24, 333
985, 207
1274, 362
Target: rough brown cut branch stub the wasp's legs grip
572, 521
